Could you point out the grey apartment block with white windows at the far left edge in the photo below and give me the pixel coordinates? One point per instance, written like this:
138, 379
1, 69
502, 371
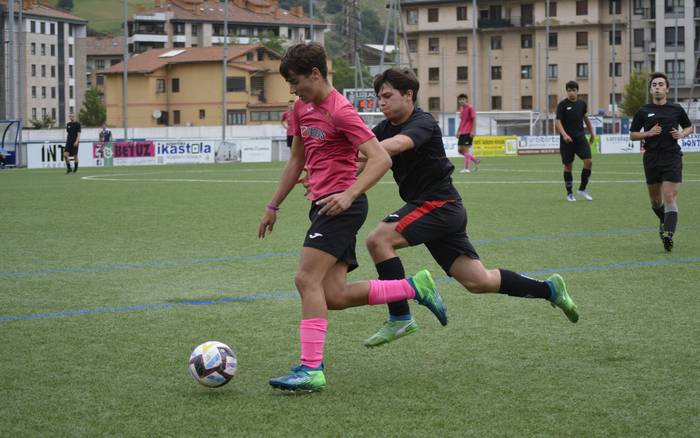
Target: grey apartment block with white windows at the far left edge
50, 62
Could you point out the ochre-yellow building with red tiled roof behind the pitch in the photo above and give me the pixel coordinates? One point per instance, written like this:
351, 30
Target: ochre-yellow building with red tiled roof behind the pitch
183, 87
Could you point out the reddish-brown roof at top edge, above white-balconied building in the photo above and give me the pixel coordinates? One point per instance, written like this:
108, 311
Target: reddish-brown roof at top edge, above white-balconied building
214, 11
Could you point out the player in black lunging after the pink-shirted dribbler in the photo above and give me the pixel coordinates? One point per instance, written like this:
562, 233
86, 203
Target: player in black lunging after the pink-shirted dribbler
433, 214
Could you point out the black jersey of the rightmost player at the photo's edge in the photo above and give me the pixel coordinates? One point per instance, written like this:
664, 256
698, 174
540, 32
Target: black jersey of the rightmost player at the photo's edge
668, 116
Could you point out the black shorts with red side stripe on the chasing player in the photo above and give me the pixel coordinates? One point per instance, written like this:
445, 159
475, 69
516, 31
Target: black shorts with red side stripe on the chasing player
440, 225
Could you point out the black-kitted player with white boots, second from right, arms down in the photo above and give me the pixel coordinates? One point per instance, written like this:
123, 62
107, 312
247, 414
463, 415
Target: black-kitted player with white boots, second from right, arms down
571, 114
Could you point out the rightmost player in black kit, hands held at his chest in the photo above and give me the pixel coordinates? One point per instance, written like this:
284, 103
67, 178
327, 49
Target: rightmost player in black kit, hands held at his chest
663, 164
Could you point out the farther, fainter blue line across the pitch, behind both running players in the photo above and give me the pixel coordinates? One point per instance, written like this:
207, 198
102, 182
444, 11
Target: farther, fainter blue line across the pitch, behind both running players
190, 262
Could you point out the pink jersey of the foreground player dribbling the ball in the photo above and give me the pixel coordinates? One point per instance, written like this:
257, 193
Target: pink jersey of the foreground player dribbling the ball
331, 132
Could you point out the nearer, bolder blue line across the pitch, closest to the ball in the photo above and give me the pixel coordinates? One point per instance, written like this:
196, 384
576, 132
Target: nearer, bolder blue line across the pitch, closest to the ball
262, 296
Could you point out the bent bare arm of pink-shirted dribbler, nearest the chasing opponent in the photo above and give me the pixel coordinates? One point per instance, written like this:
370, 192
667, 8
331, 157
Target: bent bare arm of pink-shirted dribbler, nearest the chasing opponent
378, 163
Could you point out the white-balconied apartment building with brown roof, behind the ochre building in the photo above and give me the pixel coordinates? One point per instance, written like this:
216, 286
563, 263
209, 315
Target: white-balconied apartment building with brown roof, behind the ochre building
200, 23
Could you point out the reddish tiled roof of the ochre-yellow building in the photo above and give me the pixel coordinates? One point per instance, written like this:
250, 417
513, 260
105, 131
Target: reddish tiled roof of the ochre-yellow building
151, 60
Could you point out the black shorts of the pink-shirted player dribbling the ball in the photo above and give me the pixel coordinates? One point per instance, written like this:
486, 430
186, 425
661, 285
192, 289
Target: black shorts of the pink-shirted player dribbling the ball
337, 235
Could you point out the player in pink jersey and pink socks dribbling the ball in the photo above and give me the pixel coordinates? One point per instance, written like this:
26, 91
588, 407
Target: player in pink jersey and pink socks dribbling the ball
328, 133
